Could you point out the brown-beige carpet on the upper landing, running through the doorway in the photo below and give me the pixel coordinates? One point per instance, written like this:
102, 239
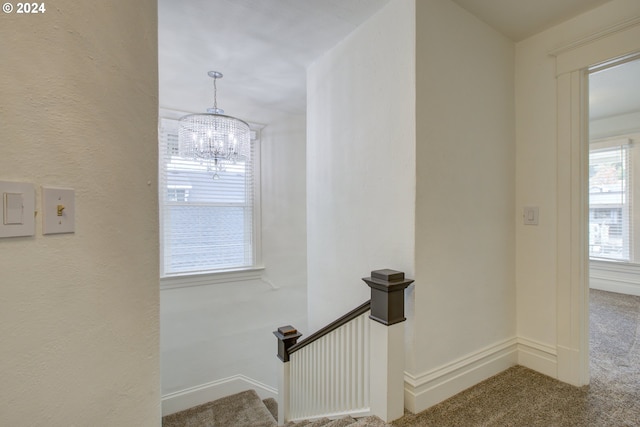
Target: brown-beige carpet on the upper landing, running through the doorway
522, 397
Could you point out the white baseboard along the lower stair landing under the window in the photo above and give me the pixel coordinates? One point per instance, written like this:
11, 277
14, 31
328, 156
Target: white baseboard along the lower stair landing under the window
188, 398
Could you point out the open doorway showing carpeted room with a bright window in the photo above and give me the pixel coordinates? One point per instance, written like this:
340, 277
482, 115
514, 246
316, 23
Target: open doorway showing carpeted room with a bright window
614, 220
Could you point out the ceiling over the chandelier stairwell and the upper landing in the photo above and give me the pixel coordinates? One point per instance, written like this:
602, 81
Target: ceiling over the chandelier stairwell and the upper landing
263, 47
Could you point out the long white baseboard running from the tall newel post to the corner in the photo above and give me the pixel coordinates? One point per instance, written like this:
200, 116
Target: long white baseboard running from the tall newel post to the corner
429, 388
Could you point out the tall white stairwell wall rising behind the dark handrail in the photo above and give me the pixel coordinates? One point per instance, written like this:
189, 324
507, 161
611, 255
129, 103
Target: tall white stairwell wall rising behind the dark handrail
360, 161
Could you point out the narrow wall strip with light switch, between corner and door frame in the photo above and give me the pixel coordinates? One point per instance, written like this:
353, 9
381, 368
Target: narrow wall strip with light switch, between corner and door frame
537, 168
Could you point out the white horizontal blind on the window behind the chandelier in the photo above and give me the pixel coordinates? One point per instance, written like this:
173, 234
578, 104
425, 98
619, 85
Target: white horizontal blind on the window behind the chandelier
206, 225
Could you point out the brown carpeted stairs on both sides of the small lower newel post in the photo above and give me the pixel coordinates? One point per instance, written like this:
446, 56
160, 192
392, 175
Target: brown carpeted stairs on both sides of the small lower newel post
245, 409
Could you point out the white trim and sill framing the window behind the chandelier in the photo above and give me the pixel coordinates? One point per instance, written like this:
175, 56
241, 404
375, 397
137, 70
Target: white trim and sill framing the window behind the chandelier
199, 278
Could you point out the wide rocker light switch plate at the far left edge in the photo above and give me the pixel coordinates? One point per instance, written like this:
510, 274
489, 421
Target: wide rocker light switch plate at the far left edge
18, 201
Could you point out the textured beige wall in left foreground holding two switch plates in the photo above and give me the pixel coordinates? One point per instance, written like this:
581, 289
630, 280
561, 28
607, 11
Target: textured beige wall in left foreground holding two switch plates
79, 312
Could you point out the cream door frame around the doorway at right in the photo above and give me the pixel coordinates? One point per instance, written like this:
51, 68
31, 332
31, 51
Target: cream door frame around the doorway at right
572, 64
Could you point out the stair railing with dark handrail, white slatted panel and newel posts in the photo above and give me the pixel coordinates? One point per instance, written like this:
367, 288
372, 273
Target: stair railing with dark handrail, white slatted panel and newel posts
353, 366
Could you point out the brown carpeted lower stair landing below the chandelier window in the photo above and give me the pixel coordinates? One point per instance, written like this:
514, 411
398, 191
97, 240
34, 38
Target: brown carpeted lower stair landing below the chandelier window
244, 409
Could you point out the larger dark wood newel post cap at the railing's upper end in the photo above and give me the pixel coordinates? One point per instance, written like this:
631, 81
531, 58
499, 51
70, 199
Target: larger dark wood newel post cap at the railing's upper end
387, 295
